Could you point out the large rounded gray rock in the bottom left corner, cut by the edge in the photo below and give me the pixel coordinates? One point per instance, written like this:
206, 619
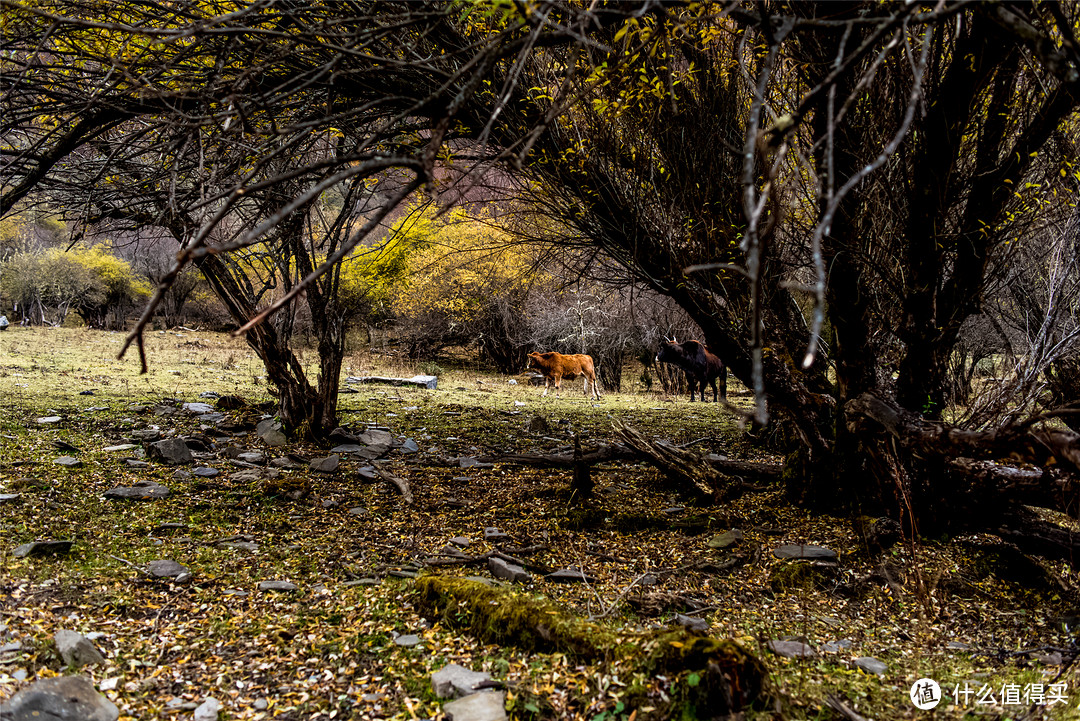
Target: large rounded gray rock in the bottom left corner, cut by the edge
61, 699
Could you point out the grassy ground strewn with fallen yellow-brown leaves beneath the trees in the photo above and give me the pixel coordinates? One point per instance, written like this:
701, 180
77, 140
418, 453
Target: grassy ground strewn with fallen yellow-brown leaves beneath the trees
995, 629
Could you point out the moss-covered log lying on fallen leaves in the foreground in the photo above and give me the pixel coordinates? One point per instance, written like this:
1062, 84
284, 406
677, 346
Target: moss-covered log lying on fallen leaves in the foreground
703, 676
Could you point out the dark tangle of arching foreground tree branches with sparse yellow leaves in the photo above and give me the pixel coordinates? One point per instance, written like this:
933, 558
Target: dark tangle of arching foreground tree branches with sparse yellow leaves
831, 191
